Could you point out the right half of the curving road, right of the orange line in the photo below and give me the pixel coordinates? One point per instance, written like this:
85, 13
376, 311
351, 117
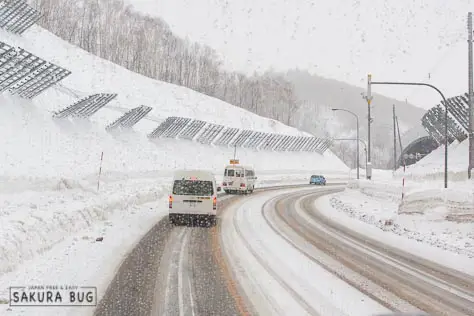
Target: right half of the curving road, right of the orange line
290, 259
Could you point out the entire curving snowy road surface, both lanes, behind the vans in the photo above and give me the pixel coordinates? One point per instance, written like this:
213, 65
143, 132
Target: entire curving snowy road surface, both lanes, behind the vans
273, 253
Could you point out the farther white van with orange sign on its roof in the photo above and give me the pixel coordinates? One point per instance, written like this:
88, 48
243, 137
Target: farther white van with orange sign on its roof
239, 179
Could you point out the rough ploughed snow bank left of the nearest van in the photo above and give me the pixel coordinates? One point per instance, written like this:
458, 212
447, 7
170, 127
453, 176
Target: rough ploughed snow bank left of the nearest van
32, 223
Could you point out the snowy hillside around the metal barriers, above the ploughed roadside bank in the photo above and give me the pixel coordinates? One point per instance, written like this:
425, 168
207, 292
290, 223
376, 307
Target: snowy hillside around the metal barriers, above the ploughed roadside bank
37, 147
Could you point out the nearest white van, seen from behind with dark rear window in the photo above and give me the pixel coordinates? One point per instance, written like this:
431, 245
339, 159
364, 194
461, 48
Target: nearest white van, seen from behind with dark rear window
193, 196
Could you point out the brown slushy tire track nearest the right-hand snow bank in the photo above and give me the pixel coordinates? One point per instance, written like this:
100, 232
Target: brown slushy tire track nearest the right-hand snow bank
415, 280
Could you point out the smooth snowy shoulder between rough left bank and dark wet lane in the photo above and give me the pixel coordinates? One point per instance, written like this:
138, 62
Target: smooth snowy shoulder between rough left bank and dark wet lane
83, 259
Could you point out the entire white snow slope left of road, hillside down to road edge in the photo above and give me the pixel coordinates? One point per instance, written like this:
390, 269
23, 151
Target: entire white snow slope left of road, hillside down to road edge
50, 205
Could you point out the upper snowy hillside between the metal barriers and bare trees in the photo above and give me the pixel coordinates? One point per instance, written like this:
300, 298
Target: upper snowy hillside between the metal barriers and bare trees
91, 74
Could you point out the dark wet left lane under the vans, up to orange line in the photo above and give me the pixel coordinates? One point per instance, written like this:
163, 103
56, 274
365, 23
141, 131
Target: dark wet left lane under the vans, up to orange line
177, 271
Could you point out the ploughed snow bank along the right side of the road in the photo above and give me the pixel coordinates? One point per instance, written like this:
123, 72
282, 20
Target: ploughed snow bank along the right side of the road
442, 219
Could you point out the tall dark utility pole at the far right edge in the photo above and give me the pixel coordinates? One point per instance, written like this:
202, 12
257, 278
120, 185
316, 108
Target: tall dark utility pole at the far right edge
471, 98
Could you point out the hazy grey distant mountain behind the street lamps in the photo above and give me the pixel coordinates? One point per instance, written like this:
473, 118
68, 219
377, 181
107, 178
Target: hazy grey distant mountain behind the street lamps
321, 94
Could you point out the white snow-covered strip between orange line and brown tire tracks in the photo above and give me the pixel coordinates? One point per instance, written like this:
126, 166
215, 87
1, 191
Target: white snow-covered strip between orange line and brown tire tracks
273, 276
